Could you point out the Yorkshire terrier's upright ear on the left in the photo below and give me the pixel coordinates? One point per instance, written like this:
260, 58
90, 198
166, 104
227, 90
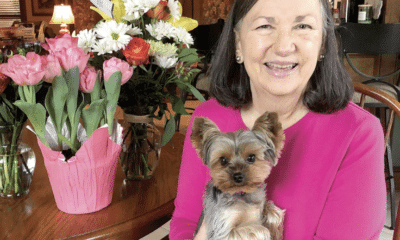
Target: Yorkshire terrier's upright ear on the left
203, 130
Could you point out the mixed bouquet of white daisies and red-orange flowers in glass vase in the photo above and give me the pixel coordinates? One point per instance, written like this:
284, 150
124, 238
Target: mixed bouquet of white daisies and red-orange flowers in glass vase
153, 37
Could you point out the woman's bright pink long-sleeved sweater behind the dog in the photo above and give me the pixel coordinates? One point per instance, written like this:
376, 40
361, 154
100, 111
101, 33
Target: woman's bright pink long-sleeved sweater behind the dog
330, 177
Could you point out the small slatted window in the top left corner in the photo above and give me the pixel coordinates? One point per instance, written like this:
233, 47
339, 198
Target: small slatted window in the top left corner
10, 11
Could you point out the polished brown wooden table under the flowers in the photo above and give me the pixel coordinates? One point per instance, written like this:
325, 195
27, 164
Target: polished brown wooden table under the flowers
137, 207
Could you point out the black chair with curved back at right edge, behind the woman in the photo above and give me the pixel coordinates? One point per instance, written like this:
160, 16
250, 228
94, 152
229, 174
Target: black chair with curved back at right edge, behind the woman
375, 39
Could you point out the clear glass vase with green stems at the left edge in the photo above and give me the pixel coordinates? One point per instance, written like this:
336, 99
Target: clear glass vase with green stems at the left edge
17, 163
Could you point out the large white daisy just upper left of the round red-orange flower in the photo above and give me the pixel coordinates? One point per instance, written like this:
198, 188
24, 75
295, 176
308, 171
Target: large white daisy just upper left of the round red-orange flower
114, 33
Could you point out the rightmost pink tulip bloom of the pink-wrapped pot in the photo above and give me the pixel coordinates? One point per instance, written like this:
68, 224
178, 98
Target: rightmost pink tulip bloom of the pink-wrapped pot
115, 64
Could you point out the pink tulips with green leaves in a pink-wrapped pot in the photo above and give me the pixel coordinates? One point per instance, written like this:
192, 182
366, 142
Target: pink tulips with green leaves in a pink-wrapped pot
80, 159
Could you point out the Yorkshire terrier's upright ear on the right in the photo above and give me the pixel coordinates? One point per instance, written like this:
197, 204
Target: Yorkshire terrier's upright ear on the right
268, 126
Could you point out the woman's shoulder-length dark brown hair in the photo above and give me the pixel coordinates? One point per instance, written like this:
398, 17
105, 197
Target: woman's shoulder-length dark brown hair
329, 89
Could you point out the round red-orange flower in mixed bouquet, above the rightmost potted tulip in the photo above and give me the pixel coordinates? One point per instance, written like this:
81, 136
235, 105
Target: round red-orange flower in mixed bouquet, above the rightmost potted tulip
137, 52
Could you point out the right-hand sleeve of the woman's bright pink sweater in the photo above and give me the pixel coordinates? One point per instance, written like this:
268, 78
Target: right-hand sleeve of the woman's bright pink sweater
356, 204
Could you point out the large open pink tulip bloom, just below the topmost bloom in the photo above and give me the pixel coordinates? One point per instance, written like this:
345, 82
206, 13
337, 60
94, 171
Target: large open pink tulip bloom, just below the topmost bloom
71, 57
